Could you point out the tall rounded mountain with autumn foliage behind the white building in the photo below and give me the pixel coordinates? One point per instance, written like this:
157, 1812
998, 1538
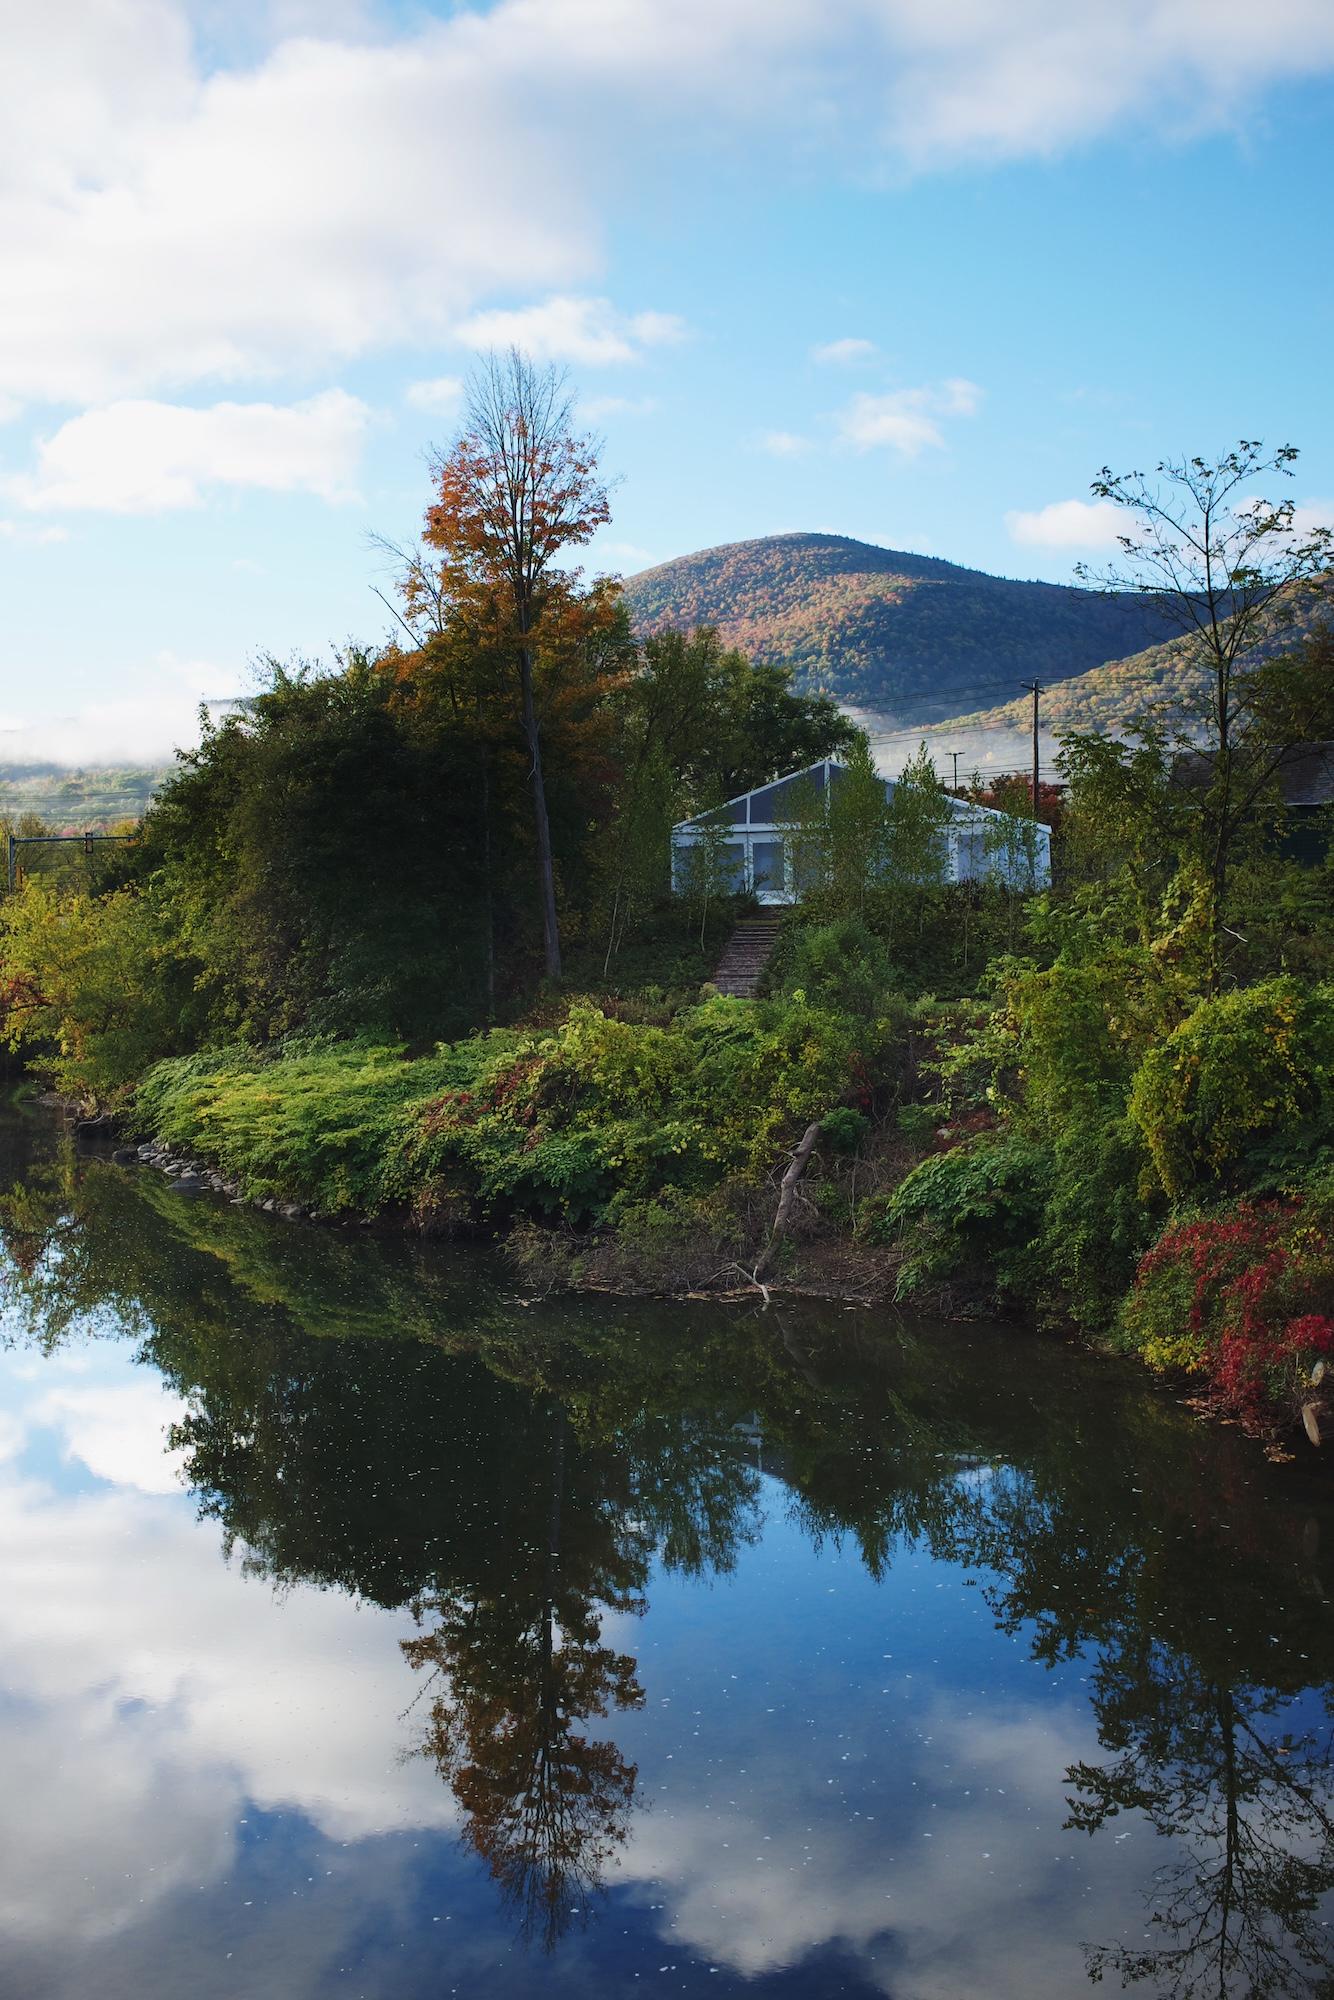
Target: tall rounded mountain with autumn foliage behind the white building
887, 631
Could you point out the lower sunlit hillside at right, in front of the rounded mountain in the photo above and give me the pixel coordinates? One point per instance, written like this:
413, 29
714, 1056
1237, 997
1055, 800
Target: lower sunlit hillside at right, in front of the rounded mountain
1163, 679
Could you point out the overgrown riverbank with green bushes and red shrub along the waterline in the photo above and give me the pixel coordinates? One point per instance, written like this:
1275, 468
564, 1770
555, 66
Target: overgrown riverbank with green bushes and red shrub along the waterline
775, 1145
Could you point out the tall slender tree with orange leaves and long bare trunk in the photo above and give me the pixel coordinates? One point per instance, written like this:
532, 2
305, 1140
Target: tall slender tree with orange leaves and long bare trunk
515, 491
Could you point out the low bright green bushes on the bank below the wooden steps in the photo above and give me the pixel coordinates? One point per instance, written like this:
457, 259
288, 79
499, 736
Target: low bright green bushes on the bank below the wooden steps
589, 1121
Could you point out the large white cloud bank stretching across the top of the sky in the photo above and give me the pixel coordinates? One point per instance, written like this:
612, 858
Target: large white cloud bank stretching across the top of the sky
335, 185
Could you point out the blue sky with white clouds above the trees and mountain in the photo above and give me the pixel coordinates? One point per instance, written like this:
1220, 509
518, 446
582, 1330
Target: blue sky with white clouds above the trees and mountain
909, 271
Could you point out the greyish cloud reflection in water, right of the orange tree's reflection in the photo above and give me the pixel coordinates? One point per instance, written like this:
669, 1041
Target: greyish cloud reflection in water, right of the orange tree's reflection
967, 1905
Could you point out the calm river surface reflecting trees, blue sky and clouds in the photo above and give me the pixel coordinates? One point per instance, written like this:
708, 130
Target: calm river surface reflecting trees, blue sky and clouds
371, 1629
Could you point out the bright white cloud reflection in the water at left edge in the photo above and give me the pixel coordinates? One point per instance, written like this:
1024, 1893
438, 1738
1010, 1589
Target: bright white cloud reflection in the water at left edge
243, 1685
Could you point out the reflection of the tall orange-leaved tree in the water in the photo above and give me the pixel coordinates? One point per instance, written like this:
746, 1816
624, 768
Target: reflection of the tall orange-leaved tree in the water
521, 1669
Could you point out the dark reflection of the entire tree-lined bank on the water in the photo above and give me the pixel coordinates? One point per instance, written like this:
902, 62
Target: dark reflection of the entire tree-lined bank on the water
387, 1423
